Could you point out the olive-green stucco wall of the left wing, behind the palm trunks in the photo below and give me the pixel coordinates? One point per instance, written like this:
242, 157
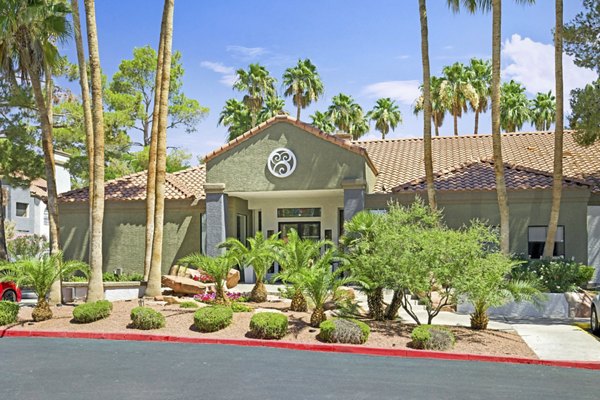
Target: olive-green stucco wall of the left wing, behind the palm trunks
124, 233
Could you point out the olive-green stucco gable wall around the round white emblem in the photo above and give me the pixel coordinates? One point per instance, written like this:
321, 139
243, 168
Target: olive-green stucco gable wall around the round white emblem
320, 164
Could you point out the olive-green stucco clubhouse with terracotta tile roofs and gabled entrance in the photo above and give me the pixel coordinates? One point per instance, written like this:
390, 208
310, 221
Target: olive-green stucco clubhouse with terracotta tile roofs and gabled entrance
287, 174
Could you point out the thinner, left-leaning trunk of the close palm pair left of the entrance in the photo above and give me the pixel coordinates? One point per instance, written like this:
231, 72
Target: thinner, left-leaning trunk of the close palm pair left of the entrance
151, 178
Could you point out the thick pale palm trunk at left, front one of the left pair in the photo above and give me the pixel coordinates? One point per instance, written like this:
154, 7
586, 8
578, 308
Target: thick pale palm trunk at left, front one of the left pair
95, 287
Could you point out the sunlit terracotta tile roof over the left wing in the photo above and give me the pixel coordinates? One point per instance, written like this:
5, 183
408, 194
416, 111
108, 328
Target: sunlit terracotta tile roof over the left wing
180, 185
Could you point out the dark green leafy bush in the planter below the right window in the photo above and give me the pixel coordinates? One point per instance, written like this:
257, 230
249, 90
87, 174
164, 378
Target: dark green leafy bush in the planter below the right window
556, 276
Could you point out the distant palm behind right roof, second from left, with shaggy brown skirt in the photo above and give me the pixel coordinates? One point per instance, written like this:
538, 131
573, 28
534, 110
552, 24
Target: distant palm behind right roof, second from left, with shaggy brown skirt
457, 91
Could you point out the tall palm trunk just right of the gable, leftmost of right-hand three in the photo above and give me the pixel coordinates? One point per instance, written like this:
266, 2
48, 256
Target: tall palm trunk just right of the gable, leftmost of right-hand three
427, 145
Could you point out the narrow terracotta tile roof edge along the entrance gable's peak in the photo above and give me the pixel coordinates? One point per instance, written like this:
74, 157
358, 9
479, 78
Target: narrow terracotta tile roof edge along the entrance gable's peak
347, 144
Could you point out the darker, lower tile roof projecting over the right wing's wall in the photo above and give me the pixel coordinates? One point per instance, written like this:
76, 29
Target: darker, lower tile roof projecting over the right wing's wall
479, 175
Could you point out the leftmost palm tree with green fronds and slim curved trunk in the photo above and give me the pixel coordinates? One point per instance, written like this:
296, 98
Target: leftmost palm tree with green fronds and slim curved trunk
29, 32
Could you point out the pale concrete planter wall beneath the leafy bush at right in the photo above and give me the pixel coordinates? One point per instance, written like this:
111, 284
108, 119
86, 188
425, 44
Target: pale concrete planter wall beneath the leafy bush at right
557, 305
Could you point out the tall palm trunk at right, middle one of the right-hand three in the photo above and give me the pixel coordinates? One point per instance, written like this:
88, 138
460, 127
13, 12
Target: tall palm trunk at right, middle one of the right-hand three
496, 136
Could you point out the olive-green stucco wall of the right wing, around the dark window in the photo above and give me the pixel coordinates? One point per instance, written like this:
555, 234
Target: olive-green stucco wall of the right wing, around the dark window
527, 208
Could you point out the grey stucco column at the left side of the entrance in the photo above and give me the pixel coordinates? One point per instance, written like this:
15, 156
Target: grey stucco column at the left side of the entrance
216, 217
